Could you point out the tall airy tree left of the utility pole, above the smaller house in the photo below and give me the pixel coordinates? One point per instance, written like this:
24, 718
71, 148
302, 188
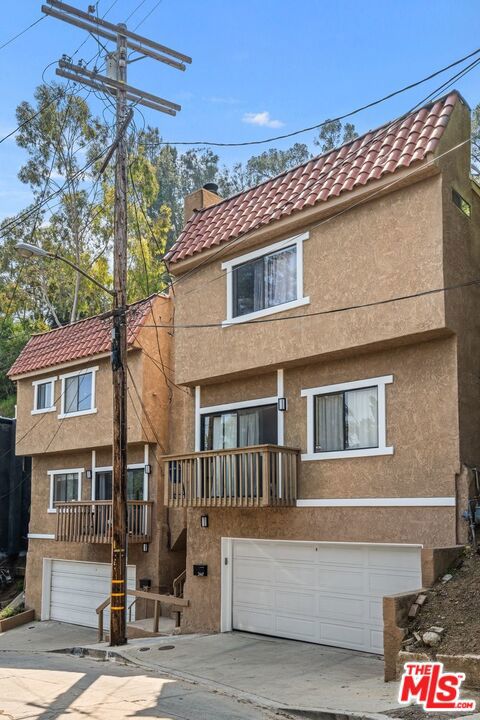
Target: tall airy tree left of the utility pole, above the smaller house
62, 139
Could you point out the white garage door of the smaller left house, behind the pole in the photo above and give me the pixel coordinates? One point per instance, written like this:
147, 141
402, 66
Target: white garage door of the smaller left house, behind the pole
75, 589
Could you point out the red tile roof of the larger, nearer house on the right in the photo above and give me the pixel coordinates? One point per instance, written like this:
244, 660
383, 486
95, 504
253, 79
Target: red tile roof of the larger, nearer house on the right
377, 153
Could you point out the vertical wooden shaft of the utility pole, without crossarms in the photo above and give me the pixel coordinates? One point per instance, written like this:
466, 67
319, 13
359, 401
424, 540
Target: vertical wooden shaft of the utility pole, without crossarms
118, 625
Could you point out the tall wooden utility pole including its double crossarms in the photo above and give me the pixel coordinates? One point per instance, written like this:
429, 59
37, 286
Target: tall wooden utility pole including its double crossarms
118, 87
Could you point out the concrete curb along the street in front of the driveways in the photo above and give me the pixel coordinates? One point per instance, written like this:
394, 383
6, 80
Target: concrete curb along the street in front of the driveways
305, 712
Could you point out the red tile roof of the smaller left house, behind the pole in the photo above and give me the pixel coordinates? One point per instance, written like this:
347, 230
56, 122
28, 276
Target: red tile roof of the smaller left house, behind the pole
78, 340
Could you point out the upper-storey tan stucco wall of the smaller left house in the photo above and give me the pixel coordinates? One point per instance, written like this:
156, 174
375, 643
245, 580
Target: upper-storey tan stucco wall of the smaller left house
148, 397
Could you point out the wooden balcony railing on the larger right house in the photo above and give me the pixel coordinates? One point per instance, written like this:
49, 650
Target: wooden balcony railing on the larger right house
262, 475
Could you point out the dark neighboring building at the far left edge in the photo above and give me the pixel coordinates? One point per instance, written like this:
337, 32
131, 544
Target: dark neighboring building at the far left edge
14, 493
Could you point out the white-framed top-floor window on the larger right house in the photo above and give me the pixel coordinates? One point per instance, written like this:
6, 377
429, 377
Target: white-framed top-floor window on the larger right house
265, 281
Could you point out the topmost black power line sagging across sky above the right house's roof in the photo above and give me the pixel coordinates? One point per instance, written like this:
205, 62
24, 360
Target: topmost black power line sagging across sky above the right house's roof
324, 122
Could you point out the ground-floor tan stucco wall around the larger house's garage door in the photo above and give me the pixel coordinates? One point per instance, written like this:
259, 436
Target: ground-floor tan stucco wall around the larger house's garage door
394, 525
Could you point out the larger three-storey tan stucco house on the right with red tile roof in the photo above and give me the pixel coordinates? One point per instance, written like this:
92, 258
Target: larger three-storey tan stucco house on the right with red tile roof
327, 323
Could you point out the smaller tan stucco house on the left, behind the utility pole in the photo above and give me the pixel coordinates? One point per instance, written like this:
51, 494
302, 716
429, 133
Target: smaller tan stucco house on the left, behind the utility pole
64, 409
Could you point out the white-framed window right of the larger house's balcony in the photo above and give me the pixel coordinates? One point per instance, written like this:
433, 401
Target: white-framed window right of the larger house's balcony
347, 419
